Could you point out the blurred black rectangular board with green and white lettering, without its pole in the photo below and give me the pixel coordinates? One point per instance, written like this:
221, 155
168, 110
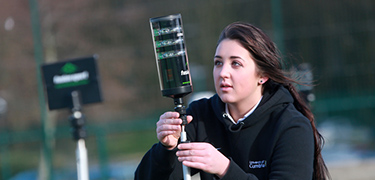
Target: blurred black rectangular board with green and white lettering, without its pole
78, 74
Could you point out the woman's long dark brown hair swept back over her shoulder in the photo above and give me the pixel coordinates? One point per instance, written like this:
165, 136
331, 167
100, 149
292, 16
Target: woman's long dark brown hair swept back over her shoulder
268, 61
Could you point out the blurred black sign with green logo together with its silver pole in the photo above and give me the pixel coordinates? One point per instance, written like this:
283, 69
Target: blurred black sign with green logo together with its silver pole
71, 84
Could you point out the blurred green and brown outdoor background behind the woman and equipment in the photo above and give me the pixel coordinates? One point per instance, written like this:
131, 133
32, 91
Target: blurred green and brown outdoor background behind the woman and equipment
329, 42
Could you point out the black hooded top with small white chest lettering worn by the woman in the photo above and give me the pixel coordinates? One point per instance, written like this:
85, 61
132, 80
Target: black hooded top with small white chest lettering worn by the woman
275, 142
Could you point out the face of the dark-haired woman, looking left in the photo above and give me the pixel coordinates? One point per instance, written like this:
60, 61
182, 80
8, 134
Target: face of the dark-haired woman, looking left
235, 74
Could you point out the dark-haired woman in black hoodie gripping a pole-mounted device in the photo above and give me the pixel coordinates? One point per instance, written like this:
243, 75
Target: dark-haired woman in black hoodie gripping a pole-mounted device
255, 127
